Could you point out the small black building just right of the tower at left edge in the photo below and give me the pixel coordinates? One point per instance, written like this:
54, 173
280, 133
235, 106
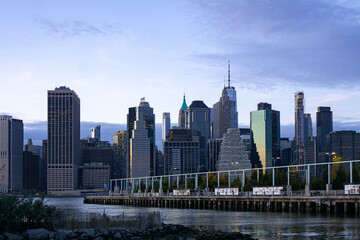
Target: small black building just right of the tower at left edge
31, 171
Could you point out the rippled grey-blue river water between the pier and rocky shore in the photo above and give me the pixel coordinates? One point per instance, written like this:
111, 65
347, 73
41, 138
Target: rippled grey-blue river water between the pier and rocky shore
261, 225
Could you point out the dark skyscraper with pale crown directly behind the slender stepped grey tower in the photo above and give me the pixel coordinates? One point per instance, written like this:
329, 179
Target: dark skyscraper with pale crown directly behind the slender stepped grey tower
147, 115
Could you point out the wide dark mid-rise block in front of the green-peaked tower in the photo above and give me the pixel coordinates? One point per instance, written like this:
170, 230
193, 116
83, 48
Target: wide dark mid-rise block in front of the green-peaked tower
181, 152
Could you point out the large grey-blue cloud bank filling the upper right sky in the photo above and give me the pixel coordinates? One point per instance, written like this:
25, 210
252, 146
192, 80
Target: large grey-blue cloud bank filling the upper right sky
308, 43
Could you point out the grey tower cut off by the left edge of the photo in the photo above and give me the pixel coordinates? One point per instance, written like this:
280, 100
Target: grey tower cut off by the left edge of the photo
11, 154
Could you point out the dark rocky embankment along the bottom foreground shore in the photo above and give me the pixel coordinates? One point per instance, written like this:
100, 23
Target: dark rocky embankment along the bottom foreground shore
166, 232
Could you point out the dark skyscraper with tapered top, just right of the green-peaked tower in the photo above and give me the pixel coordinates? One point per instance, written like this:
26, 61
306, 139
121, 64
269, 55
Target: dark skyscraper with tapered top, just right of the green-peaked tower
197, 118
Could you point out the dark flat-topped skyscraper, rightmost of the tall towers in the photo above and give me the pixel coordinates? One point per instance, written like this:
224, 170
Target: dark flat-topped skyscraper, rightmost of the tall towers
324, 125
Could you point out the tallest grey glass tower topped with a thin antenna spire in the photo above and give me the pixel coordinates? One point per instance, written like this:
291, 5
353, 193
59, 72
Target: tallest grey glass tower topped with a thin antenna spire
225, 113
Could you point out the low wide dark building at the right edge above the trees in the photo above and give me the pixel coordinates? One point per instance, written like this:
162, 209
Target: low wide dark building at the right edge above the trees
345, 144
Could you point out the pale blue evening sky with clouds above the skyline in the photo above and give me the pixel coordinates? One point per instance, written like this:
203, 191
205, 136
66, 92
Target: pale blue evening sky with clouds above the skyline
112, 53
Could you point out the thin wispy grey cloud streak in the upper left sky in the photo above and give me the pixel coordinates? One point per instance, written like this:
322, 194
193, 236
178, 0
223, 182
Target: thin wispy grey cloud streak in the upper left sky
77, 28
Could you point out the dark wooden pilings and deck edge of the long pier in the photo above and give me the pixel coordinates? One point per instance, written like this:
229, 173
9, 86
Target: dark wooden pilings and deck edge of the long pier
318, 204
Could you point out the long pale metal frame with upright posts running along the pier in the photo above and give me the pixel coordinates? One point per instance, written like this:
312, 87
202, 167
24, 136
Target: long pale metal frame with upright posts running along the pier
173, 181
